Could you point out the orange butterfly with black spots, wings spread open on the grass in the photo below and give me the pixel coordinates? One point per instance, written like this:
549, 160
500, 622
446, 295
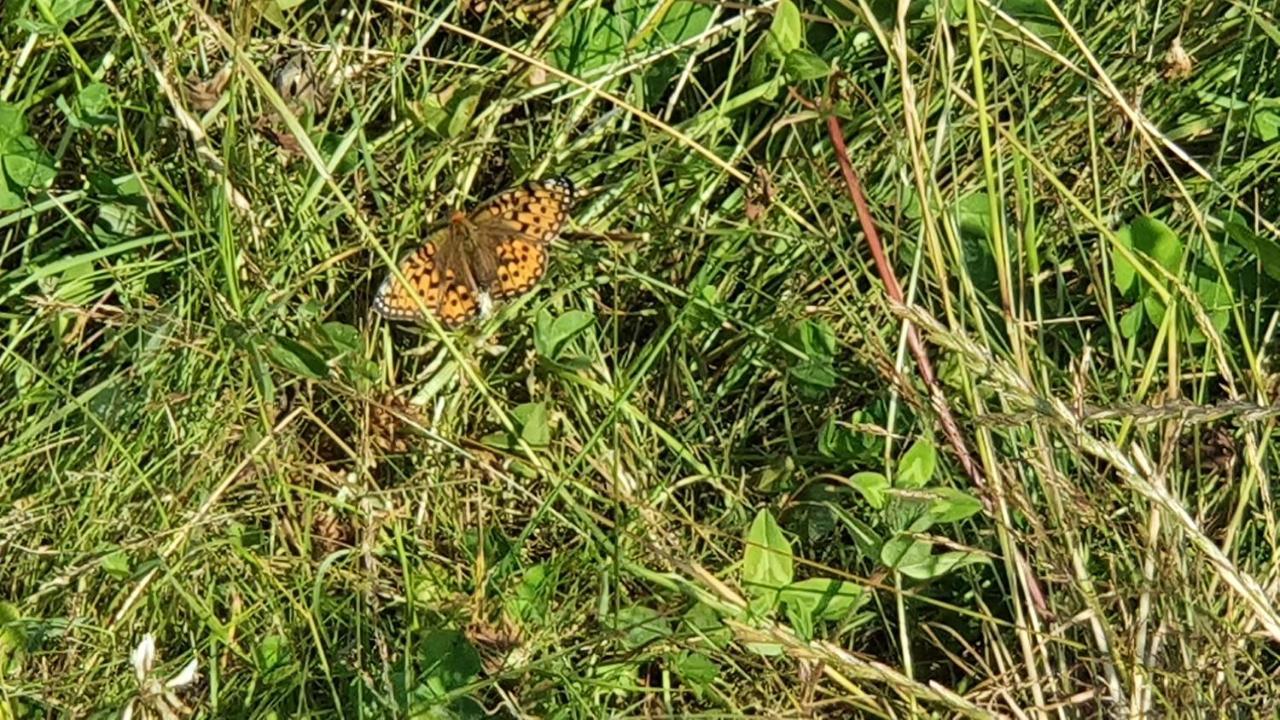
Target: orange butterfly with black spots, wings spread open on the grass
497, 252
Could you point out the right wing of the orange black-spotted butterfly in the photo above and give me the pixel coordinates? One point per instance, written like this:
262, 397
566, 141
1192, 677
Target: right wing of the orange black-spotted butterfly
513, 234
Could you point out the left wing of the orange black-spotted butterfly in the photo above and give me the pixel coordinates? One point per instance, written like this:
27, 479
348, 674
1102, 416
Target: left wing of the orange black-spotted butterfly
442, 290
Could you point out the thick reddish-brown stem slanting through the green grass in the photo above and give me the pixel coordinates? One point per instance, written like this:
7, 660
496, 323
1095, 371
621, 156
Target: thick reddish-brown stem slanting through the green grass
895, 291
